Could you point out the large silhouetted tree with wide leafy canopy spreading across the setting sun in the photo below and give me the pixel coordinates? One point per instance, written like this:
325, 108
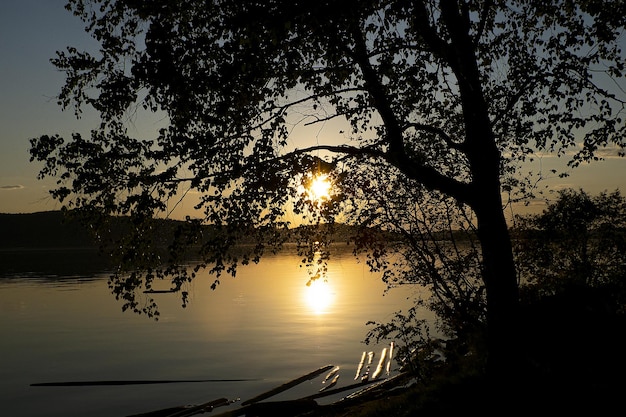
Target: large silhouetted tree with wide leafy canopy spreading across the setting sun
446, 96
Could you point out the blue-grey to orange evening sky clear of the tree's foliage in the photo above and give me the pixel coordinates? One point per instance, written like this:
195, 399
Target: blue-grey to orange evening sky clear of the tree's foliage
30, 33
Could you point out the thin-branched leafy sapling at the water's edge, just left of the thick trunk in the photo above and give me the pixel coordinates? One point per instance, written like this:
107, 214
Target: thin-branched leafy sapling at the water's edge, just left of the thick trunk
436, 248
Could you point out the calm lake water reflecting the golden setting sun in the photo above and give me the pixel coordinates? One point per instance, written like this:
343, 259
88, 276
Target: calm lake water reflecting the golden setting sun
59, 322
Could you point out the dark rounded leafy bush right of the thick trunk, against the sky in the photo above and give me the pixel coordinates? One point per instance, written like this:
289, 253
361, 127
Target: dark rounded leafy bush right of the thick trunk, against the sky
578, 242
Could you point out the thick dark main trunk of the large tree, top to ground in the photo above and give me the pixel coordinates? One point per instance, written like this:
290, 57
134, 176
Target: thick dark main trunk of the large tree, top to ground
484, 163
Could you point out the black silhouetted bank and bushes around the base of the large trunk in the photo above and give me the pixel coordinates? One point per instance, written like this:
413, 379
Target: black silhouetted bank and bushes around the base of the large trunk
572, 270
